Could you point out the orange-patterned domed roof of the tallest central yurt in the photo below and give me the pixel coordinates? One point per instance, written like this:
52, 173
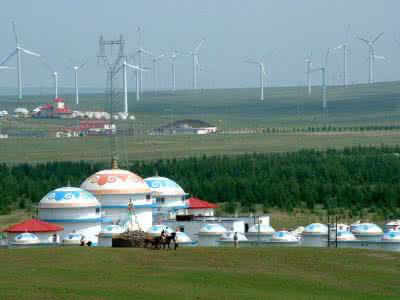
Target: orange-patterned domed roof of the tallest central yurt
115, 181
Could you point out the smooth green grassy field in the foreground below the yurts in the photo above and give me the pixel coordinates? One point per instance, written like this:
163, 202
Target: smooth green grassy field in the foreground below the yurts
267, 273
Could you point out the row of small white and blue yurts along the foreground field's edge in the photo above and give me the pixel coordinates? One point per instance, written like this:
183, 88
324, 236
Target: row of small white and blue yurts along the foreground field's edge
359, 235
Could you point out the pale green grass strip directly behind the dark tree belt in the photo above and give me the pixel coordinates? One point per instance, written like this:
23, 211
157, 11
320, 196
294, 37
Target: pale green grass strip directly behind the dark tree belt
33, 150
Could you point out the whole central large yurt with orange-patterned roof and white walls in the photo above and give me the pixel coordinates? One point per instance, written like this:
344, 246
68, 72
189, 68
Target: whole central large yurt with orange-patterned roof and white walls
124, 196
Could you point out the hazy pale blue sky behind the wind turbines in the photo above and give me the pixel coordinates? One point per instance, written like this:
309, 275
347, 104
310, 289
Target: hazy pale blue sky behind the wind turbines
280, 33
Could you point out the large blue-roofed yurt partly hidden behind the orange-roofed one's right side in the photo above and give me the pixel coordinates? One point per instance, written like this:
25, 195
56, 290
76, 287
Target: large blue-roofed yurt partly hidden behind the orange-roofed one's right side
169, 199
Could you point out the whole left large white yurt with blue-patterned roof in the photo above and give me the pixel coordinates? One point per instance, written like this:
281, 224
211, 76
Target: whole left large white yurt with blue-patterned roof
75, 209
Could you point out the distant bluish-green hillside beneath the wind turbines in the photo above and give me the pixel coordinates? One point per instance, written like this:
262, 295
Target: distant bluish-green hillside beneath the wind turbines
240, 108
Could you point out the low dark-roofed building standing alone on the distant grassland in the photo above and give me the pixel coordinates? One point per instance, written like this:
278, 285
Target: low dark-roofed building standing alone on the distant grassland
188, 126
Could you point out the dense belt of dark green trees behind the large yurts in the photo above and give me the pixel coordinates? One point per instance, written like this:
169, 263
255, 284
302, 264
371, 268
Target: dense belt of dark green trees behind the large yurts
353, 178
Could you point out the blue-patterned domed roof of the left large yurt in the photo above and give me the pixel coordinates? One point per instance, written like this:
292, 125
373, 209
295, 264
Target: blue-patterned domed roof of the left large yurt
68, 197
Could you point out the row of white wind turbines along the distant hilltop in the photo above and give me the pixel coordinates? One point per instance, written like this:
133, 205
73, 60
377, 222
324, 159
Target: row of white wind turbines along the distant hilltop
139, 68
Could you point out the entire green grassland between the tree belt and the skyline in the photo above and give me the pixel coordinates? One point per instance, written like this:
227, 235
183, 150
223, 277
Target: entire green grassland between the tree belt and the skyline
286, 107
